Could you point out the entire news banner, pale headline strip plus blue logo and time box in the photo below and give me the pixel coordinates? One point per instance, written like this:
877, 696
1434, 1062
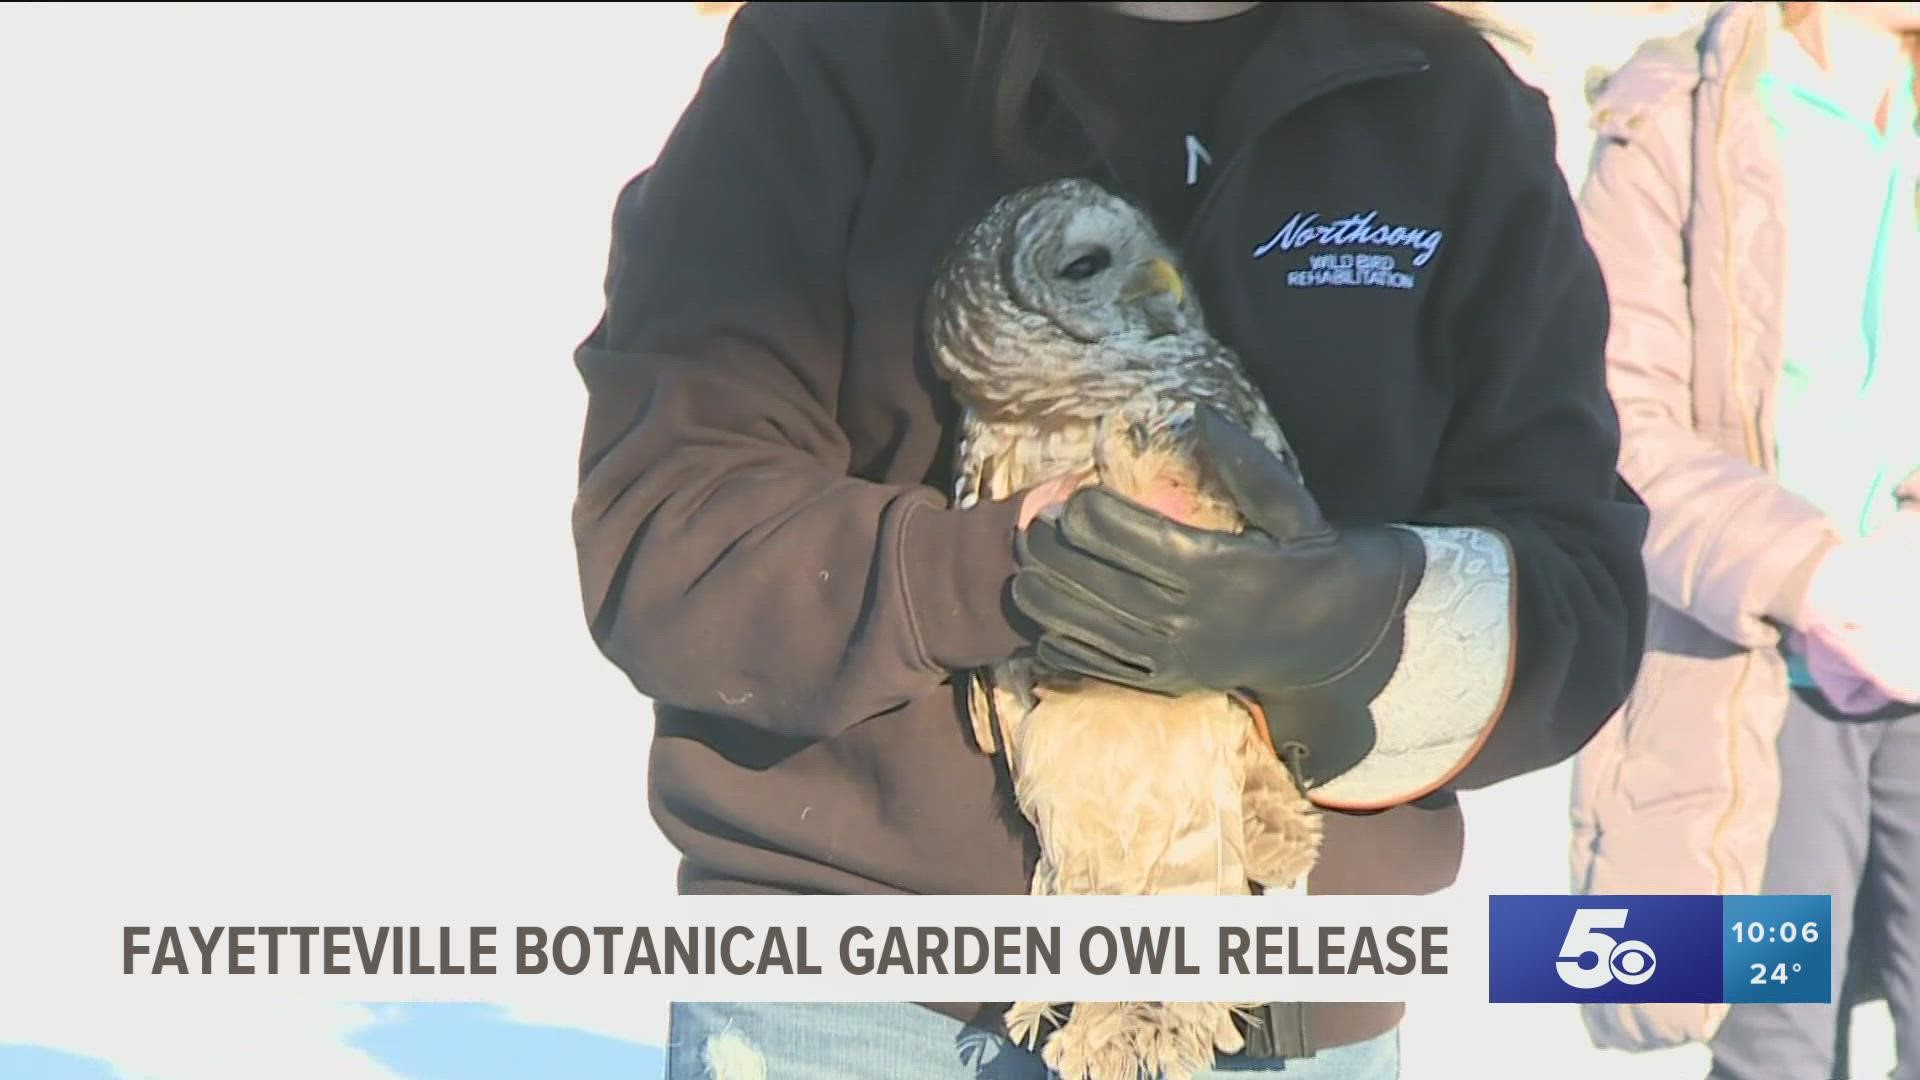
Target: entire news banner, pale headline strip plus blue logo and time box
997, 948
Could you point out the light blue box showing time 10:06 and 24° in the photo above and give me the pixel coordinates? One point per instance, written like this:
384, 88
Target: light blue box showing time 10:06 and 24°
1777, 948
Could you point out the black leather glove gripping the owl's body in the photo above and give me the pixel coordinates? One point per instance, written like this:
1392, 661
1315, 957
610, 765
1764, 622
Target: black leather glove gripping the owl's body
1301, 616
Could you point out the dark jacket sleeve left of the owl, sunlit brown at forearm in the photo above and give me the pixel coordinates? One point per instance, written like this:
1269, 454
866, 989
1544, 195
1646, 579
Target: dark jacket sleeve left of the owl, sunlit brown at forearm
729, 562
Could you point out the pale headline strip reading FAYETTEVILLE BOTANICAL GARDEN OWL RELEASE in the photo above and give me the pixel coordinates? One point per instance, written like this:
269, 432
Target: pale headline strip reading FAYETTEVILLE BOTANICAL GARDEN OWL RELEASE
842, 948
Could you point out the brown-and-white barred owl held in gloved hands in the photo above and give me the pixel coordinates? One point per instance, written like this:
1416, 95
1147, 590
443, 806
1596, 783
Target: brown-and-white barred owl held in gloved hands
1074, 349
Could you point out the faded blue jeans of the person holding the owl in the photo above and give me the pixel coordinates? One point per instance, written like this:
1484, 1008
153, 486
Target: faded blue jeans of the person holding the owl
723, 1041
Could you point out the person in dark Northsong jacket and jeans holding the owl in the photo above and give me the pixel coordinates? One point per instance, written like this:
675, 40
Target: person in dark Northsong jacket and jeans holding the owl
1366, 203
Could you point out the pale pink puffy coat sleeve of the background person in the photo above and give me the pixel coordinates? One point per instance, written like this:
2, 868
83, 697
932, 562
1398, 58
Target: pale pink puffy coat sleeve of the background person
1727, 543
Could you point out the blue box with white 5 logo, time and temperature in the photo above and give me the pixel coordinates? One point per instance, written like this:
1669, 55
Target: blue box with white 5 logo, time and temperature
1660, 948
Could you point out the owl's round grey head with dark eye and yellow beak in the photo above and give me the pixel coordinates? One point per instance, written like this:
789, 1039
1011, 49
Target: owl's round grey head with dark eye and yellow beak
1055, 266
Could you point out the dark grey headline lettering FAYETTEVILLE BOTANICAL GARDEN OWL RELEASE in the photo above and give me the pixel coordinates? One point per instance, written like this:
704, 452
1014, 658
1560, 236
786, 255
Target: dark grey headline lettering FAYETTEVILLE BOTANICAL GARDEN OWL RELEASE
782, 950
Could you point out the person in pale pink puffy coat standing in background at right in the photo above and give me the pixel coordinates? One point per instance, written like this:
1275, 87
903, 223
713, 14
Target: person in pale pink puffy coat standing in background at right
1754, 205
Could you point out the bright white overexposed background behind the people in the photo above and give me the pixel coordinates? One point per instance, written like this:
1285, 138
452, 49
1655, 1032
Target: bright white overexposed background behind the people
289, 426
